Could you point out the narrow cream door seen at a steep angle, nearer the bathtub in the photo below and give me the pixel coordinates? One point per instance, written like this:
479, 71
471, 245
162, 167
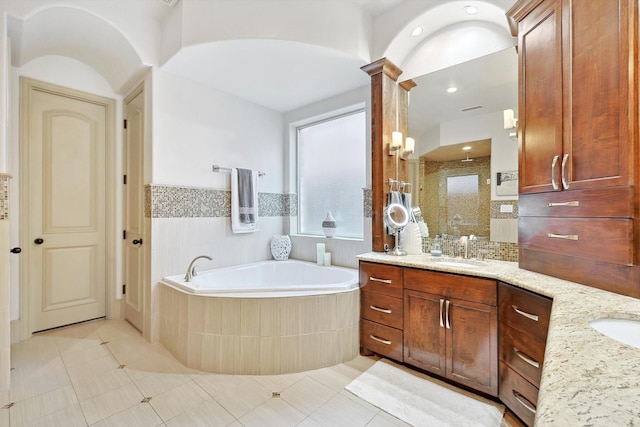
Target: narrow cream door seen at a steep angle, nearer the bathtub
134, 211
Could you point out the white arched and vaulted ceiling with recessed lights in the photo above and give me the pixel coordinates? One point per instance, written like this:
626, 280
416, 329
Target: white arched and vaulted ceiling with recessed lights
280, 67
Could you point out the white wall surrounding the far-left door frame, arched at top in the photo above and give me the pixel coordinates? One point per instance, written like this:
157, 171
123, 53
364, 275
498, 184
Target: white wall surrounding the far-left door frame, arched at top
73, 74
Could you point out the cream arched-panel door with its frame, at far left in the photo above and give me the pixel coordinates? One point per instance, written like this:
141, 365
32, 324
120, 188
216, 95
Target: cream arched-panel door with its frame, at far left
65, 146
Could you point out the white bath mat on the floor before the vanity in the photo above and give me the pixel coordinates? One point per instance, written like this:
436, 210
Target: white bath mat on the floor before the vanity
423, 401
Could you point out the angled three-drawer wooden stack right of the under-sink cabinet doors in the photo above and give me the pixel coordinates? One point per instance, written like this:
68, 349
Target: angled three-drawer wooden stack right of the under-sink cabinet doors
523, 324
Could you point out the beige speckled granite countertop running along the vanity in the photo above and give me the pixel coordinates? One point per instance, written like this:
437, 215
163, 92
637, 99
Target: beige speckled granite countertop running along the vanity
588, 379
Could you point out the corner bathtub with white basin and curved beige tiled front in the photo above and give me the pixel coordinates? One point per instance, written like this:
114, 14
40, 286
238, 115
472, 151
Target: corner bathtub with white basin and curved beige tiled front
269, 317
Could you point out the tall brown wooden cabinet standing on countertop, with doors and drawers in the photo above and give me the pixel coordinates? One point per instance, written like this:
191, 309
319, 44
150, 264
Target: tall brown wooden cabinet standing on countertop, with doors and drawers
578, 140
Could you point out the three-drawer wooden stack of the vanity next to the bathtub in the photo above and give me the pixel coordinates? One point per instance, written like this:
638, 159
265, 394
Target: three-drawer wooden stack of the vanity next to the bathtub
381, 309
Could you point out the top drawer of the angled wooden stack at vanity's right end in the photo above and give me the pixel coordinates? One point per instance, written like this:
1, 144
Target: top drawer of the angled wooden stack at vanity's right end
524, 311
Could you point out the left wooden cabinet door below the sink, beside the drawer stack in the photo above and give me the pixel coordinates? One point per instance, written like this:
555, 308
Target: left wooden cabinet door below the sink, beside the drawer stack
424, 331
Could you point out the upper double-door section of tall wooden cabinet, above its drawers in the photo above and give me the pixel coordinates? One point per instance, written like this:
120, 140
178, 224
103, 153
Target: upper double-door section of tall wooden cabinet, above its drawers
578, 95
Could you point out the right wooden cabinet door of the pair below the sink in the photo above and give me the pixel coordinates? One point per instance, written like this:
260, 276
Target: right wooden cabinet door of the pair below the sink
472, 345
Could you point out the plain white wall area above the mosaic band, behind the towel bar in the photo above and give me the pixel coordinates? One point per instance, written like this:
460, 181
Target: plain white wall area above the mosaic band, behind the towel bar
195, 127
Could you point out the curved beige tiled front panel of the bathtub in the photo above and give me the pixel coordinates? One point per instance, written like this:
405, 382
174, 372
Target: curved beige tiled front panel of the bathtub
259, 336
